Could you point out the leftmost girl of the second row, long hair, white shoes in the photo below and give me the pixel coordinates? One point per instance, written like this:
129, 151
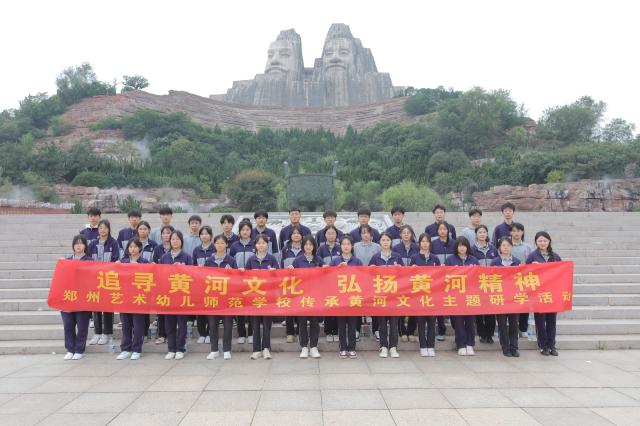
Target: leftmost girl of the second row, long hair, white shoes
104, 249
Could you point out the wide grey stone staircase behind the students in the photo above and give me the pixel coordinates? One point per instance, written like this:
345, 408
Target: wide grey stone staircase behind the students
604, 247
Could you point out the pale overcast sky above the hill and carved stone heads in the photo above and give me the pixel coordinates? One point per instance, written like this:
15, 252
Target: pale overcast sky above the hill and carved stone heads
545, 52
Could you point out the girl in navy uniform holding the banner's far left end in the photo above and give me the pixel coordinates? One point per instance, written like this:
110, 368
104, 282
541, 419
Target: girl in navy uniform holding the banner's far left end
76, 323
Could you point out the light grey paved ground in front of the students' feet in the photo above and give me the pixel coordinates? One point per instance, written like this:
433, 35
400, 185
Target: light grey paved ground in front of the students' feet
579, 387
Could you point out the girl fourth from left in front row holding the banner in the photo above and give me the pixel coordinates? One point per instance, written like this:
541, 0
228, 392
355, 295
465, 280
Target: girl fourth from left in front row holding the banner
220, 259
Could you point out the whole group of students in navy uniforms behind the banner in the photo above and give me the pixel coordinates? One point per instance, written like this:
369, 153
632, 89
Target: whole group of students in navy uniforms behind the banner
258, 247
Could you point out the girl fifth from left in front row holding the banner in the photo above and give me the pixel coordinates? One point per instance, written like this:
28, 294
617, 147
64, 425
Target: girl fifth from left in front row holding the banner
262, 259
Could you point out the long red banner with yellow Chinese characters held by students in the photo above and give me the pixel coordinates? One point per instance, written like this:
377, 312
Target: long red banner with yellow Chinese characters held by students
334, 291
